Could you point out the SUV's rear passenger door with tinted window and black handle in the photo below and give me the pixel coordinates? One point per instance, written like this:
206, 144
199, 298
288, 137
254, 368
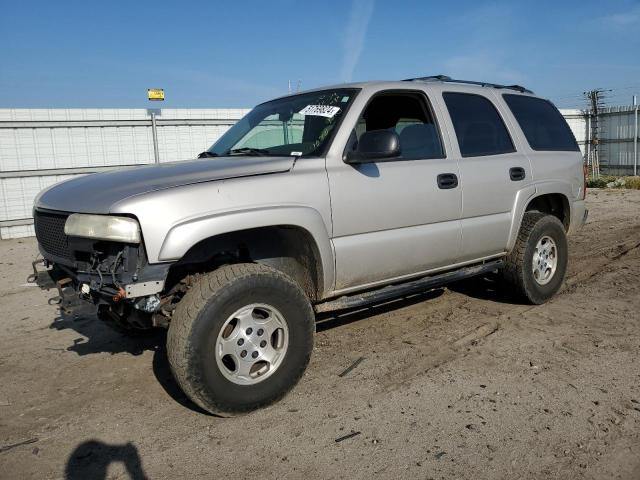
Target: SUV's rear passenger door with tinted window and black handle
491, 172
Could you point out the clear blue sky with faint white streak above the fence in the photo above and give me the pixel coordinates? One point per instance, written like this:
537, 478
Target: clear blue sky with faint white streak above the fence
235, 54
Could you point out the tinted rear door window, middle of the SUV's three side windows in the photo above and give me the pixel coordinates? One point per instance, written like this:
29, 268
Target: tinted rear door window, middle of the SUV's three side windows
478, 126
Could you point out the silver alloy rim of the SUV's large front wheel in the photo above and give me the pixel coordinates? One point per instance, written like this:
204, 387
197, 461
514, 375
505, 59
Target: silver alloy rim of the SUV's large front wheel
252, 344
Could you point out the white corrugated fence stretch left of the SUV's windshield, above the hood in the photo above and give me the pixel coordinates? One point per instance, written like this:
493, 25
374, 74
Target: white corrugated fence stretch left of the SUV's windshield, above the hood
39, 147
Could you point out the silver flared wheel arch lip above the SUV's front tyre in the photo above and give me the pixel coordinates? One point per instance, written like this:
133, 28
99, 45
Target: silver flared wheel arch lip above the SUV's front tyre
183, 236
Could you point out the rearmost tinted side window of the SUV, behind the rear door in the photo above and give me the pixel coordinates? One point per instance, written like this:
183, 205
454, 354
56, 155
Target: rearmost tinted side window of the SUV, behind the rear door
542, 123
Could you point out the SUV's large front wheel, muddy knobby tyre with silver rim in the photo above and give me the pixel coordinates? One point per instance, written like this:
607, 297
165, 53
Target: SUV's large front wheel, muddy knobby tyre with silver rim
240, 338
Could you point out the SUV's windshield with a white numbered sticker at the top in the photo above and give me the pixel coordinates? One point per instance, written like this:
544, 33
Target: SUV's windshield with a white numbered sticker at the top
298, 125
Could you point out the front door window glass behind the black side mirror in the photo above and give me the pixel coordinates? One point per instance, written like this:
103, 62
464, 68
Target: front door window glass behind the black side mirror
408, 115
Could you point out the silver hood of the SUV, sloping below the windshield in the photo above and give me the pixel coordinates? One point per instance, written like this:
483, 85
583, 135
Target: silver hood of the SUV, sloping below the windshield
96, 193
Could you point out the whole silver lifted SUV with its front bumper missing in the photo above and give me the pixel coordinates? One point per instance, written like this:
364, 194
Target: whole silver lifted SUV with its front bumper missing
324, 200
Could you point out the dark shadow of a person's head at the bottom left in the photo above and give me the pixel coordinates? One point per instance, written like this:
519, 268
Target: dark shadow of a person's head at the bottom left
92, 458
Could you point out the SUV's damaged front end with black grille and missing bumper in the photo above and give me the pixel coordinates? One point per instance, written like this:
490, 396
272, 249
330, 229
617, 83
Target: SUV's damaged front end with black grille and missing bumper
112, 274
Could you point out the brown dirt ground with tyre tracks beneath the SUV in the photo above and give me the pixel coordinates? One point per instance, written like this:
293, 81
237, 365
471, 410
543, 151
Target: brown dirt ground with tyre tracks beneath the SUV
459, 383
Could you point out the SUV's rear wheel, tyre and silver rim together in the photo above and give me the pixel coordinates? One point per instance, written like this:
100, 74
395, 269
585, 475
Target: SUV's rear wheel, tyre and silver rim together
538, 262
